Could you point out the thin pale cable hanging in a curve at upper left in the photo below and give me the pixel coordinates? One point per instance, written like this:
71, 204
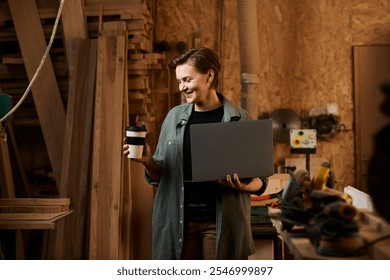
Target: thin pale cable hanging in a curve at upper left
40, 65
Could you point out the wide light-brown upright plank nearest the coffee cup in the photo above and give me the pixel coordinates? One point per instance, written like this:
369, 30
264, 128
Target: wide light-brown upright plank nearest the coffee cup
105, 228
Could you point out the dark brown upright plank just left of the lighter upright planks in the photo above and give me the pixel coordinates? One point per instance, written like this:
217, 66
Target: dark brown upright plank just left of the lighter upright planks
76, 162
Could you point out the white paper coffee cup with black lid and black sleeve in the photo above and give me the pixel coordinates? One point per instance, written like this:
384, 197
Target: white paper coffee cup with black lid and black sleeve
135, 138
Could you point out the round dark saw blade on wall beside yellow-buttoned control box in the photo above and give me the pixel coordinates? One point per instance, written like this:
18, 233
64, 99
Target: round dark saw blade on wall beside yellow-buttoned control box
282, 121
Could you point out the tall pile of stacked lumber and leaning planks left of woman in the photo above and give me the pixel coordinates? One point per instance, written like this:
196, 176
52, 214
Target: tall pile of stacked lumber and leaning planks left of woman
103, 76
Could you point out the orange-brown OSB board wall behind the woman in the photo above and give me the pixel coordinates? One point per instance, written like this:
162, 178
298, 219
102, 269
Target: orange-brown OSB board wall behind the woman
305, 56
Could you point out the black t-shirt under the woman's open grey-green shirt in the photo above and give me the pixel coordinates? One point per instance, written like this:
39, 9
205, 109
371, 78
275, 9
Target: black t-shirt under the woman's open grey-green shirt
199, 197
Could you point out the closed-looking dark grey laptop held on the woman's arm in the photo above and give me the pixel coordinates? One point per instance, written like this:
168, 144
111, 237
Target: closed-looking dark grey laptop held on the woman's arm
219, 149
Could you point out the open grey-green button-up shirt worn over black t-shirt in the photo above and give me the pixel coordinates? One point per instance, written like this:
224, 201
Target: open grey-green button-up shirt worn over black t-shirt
233, 224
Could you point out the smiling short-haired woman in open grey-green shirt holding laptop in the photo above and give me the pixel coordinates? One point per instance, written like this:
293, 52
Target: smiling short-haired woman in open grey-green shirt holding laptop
208, 220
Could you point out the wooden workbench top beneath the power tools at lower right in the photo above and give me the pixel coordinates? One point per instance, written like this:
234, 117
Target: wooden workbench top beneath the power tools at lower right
371, 227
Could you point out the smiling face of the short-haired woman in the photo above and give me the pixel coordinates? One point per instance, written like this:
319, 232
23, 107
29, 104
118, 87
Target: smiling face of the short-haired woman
194, 85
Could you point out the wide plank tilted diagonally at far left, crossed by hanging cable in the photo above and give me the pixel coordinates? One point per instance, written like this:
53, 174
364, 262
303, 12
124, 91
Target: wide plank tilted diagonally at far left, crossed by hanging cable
45, 90
